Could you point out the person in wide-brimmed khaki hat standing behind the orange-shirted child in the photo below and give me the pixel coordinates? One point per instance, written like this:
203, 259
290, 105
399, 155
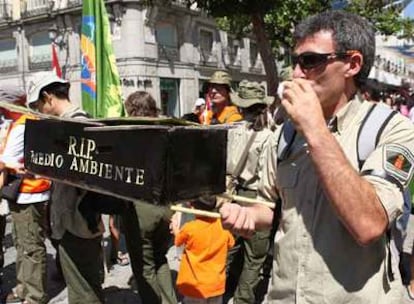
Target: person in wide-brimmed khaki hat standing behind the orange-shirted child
244, 148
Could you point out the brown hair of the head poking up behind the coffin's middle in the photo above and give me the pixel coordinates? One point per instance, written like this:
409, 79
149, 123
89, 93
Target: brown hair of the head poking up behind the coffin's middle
141, 103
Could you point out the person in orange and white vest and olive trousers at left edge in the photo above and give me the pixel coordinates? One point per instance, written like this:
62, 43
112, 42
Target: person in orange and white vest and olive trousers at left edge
28, 197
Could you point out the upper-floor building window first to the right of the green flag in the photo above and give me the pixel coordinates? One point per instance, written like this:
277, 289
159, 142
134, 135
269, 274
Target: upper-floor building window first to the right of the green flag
166, 35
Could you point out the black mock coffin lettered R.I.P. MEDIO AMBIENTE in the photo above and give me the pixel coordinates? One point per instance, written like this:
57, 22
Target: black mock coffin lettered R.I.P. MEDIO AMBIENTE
155, 163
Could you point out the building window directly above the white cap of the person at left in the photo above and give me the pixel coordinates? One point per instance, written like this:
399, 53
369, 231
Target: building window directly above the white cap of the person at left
40, 51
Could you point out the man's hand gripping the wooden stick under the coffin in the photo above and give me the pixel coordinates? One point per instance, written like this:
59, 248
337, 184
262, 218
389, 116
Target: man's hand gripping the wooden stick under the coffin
238, 219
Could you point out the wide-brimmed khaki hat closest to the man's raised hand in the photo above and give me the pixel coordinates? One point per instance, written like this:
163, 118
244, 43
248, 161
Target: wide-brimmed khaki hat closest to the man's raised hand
250, 93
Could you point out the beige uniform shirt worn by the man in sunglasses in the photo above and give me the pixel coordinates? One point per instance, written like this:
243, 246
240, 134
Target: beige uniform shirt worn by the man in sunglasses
316, 260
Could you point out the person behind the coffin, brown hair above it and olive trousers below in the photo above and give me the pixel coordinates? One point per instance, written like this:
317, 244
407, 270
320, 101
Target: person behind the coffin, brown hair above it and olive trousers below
147, 229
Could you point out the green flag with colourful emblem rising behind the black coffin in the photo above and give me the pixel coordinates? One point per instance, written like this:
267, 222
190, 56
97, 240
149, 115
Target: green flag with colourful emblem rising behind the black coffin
101, 87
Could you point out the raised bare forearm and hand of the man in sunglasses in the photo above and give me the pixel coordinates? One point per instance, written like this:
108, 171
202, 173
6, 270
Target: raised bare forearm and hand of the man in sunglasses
354, 198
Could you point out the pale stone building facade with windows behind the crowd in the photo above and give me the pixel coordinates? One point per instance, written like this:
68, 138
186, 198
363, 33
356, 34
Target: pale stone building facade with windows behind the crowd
167, 50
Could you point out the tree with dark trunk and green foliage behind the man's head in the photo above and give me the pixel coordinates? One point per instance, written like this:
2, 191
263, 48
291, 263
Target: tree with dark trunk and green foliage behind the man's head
275, 20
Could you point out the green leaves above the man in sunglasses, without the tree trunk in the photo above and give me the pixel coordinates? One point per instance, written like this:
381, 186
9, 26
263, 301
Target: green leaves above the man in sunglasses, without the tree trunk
281, 18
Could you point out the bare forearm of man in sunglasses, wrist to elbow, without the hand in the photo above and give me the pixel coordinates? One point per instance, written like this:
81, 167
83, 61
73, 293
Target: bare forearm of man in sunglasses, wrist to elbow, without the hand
353, 198
